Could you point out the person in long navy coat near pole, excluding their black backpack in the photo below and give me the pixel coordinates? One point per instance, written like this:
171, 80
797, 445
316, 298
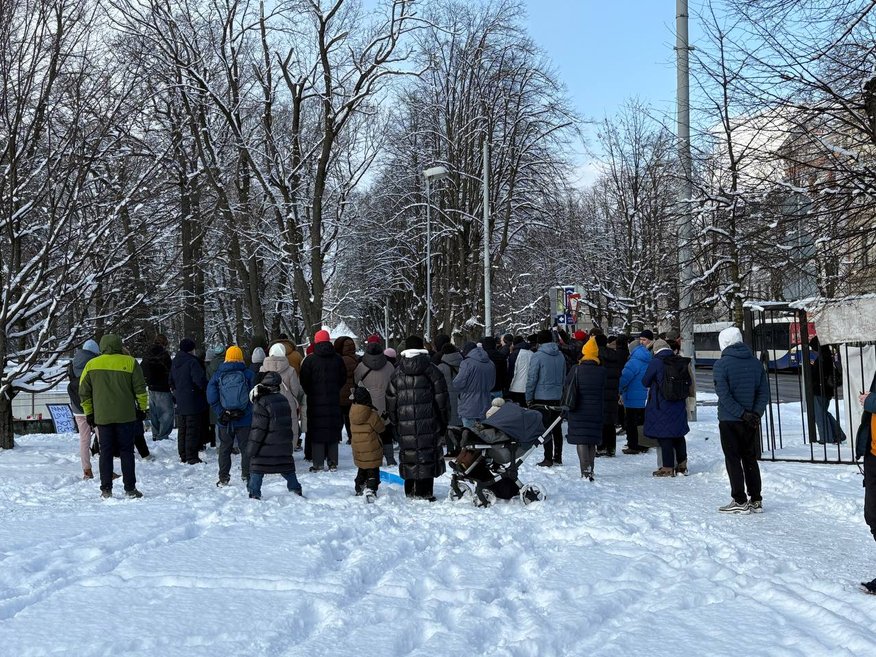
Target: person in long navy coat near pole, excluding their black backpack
665, 420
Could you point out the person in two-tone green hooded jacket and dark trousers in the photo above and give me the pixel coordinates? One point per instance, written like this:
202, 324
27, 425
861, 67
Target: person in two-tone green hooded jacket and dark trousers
114, 399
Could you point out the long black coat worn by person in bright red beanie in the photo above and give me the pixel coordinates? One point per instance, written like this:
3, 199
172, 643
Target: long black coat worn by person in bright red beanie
323, 374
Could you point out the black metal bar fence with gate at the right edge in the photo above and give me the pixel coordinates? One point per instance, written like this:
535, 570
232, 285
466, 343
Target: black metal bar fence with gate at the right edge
811, 406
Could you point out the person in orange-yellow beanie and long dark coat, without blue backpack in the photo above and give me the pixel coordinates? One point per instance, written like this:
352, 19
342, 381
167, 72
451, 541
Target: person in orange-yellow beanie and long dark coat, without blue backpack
585, 420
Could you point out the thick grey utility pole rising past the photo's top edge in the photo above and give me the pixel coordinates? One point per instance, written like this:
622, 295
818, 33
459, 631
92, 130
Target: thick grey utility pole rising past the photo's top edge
685, 191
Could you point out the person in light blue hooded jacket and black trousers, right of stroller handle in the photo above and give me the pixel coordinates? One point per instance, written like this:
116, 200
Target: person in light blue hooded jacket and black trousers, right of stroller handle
544, 387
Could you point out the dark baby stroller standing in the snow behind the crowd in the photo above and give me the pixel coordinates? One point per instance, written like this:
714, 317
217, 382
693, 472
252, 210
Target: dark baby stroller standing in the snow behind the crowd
486, 468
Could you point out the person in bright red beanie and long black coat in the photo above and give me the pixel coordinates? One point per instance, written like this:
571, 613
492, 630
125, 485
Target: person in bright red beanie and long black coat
323, 375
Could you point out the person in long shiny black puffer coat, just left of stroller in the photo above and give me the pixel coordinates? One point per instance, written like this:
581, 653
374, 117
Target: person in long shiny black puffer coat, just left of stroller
419, 407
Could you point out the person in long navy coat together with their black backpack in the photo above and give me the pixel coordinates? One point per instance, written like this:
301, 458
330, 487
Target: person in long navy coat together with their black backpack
668, 382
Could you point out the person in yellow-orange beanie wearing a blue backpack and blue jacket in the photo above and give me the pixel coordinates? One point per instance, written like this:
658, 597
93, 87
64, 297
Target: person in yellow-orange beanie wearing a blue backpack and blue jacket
228, 396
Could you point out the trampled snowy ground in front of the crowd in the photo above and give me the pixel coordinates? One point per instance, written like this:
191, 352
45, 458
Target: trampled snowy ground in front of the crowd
628, 565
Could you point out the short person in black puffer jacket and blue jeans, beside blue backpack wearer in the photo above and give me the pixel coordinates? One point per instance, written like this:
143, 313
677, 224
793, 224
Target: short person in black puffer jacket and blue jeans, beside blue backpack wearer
271, 437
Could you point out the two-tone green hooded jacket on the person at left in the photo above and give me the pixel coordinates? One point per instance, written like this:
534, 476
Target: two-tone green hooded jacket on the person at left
112, 387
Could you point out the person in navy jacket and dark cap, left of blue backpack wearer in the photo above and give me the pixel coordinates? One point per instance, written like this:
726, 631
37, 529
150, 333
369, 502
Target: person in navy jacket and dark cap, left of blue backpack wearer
188, 380
